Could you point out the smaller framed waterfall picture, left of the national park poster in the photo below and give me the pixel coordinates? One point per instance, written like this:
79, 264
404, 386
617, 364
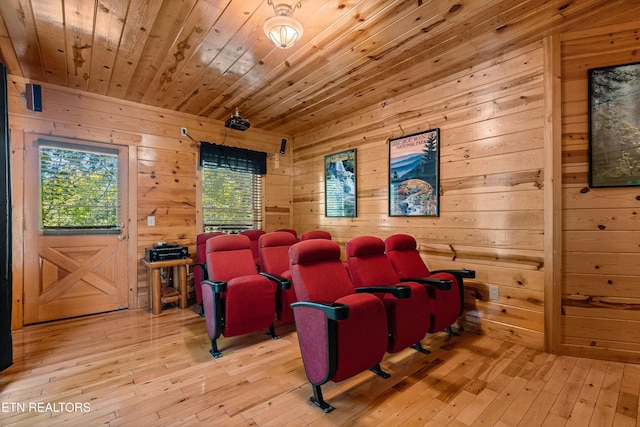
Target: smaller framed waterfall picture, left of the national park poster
340, 184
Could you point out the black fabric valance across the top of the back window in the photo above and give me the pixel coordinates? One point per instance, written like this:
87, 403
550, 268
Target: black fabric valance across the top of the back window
236, 159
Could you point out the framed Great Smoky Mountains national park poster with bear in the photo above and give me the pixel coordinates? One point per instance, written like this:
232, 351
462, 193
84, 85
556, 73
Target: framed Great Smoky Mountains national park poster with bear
414, 169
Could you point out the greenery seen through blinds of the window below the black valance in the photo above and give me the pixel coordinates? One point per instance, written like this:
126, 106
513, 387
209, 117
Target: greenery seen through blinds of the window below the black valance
231, 200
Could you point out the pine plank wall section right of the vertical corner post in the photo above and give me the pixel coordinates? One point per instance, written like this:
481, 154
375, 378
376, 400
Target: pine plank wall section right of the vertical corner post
601, 238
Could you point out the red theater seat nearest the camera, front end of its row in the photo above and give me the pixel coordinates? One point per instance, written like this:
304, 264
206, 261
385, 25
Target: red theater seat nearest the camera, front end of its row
341, 332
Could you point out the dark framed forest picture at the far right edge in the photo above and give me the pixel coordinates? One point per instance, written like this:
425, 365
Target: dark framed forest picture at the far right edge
614, 118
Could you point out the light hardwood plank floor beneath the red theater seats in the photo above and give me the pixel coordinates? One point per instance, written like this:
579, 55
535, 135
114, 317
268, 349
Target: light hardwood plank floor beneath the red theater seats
134, 368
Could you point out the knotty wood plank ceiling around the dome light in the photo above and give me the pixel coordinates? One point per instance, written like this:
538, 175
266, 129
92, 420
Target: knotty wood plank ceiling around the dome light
209, 57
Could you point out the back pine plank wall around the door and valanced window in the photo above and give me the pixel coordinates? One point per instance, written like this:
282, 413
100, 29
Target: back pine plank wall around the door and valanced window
163, 166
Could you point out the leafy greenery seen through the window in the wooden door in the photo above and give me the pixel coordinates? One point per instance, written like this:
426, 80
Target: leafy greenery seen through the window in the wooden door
78, 187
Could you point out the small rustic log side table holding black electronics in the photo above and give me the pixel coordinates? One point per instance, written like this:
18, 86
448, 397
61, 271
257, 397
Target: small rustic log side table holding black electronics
156, 298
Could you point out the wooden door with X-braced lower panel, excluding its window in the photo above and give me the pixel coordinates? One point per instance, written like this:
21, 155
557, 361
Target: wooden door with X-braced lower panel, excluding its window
75, 272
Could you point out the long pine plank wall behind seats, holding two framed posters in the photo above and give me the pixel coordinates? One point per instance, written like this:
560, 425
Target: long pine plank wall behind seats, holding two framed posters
492, 202
